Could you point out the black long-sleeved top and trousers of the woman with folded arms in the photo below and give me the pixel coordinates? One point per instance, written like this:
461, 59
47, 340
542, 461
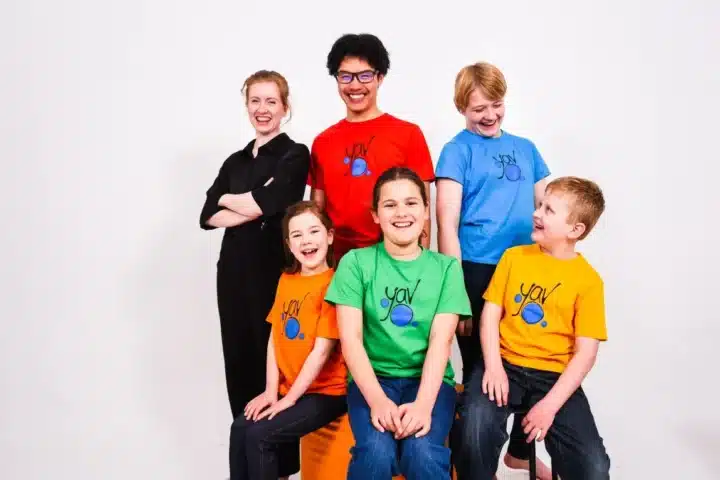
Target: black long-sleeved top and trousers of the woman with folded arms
252, 256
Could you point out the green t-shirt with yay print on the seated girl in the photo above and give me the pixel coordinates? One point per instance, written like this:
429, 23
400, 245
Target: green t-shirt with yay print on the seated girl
399, 300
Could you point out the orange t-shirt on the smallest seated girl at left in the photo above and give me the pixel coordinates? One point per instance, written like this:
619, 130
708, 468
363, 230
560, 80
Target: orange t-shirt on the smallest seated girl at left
299, 315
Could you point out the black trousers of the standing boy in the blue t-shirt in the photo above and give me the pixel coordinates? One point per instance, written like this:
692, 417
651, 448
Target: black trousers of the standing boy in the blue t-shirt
477, 278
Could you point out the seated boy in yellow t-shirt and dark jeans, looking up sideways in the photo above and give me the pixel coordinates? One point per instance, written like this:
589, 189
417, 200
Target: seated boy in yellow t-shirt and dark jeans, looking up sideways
543, 320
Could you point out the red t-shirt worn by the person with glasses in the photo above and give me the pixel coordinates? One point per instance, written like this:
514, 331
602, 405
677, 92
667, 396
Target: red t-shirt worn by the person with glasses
346, 160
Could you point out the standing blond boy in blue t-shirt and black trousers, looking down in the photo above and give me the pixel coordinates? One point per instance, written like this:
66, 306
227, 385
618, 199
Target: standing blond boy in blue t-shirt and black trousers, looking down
488, 184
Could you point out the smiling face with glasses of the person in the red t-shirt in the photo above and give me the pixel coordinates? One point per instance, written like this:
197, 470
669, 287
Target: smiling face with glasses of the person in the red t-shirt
358, 84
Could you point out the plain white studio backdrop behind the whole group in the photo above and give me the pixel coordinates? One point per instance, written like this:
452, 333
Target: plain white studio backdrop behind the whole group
116, 116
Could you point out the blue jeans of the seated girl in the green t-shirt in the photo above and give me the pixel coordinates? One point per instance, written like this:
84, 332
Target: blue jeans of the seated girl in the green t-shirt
377, 455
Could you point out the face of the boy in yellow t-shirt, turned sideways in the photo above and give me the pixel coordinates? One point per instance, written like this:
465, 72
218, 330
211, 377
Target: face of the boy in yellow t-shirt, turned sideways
550, 221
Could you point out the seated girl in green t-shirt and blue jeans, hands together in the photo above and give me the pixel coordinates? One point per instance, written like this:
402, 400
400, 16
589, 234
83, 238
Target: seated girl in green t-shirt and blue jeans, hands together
397, 308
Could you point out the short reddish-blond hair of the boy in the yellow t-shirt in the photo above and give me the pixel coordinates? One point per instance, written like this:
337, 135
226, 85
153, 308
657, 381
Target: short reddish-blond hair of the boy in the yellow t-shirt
586, 201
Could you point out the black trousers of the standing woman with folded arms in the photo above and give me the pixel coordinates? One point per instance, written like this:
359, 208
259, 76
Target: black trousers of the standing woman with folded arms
248, 272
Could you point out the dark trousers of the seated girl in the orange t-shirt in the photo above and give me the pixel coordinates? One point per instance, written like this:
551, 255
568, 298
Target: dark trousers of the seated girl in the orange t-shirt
255, 447
